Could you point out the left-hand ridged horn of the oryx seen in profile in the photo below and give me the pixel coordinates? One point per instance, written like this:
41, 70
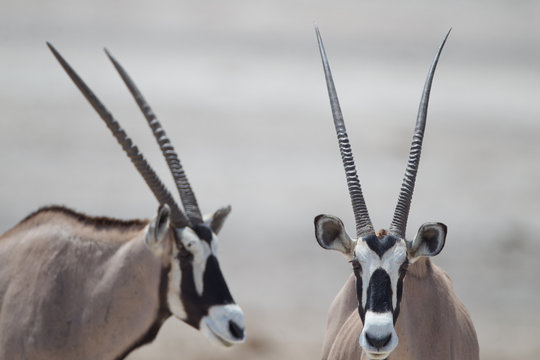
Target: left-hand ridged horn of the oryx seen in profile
152, 180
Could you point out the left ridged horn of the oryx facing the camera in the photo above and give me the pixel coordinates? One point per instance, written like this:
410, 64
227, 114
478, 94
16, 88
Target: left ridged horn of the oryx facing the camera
361, 216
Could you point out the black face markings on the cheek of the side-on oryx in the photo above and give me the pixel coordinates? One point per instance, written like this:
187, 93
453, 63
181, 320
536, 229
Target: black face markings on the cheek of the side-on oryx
215, 290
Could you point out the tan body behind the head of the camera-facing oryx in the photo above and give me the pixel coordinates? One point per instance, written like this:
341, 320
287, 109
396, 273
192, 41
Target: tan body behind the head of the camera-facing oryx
433, 322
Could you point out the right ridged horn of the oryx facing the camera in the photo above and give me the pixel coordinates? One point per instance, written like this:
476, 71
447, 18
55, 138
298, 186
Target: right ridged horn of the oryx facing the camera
401, 214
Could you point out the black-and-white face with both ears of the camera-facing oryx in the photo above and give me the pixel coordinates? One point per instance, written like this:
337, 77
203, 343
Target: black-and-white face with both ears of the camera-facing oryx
380, 265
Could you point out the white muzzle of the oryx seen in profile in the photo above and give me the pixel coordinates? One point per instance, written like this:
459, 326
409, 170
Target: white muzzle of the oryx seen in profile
217, 324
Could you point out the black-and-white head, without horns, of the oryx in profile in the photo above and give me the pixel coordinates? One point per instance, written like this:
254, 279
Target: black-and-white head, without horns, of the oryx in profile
197, 292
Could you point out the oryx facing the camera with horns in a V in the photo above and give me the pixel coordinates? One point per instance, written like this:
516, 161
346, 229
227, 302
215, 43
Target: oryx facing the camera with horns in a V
397, 305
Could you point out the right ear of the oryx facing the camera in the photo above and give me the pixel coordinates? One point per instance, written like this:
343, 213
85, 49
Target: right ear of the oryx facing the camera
428, 242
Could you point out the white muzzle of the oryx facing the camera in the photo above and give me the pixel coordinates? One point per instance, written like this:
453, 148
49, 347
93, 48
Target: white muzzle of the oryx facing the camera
378, 326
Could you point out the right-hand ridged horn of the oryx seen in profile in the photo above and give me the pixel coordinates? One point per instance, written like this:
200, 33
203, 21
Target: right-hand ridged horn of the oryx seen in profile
184, 188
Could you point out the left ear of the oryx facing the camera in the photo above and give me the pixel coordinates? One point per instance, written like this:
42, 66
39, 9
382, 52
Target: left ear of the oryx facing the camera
331, 234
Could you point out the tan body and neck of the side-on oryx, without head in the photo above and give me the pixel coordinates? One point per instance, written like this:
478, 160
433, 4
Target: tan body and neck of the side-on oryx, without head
48, 312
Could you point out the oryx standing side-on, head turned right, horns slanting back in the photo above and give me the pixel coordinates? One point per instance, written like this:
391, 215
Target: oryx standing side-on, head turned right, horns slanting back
79, 287
